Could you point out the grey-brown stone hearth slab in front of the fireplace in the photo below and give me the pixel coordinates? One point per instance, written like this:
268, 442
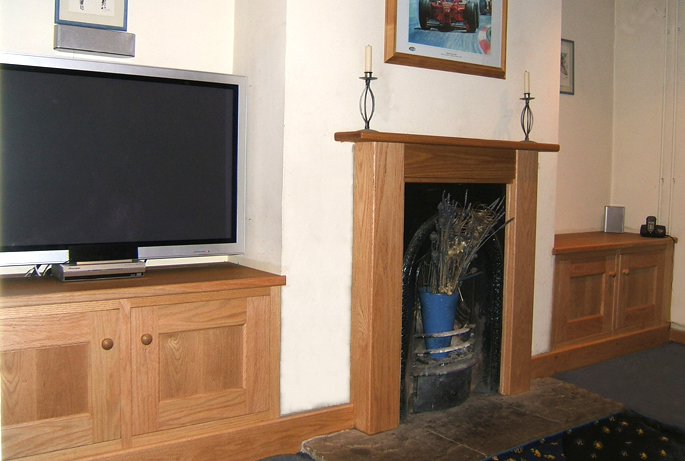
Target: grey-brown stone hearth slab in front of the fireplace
482, 426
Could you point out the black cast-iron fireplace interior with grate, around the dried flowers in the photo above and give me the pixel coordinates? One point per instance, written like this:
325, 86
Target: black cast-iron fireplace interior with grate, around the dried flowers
440, 381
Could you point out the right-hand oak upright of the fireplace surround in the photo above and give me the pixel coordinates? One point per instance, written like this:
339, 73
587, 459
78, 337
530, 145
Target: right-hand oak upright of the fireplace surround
519, 276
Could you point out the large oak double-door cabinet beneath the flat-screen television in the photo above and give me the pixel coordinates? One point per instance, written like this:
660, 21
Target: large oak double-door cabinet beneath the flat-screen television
99, 367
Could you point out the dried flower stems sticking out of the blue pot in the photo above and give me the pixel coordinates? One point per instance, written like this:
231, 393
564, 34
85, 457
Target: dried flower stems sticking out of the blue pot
460, 231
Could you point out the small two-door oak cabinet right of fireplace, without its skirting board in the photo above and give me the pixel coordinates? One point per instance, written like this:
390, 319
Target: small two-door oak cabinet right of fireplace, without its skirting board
606, 284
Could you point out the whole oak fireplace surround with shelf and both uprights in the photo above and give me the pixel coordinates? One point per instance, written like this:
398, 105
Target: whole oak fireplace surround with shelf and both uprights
383, 163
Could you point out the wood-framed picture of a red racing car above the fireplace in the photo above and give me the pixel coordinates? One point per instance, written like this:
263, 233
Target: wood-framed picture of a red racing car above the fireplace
468, 37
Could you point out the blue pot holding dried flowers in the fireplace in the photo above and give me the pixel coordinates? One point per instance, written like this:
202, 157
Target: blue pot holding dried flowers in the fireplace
438, 311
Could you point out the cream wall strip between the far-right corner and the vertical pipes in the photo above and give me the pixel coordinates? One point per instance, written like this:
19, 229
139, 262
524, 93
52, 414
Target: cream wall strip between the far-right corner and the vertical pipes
640, 59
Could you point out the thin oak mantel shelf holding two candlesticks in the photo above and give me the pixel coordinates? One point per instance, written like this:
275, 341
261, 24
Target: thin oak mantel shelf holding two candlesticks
379, 136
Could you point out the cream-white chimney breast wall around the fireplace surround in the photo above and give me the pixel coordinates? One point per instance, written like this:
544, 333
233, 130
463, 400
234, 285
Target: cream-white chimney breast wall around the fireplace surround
323, 65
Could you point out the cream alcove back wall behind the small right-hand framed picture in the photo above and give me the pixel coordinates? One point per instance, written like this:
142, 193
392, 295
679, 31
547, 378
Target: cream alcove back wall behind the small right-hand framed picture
585, 119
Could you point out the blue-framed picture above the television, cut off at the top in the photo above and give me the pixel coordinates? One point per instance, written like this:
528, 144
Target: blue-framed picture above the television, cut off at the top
103, 14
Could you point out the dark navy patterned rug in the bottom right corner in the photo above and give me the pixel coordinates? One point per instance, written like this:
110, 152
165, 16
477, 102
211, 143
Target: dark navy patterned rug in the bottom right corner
625, 435
